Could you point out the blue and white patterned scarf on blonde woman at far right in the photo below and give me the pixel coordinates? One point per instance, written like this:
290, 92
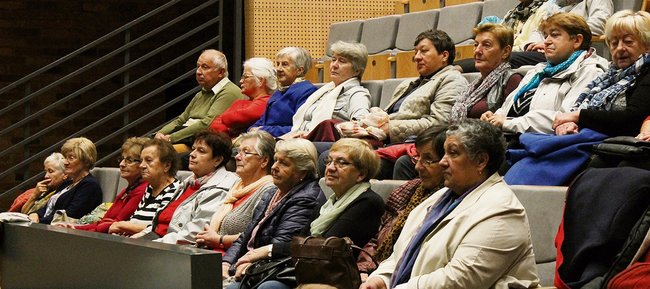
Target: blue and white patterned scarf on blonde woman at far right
604, 89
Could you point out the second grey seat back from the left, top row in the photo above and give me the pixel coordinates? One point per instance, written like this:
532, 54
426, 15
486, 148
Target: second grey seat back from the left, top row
378, 34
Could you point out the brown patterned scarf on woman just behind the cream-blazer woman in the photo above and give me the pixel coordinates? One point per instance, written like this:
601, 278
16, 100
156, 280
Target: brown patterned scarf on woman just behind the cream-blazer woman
386, 247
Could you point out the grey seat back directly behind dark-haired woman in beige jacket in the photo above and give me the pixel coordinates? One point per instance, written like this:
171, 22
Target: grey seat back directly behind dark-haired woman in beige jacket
412, 24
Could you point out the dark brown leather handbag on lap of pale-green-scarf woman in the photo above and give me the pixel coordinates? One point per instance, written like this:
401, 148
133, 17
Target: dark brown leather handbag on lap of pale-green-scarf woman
325, 261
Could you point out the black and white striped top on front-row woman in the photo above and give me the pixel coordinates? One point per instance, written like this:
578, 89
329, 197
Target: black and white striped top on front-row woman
150, 205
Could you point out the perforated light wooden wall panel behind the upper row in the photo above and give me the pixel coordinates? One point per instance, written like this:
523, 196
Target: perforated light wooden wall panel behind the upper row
273, 24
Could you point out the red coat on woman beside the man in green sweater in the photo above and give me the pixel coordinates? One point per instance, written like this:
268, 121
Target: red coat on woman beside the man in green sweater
241, 115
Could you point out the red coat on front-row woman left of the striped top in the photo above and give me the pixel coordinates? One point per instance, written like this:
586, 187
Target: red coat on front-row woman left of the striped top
121, 210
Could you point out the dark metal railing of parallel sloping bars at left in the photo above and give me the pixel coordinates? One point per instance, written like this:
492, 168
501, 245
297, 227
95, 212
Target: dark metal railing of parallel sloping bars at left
127, 86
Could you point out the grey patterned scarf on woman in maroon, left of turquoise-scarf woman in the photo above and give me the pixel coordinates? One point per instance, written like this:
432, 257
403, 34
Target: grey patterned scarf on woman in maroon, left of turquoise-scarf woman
476, 91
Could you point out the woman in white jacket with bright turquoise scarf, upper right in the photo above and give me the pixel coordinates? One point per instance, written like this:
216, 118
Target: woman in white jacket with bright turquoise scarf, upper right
554, 86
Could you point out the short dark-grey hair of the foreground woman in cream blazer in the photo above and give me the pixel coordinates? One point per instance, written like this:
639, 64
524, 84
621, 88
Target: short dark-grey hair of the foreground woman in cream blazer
478, 137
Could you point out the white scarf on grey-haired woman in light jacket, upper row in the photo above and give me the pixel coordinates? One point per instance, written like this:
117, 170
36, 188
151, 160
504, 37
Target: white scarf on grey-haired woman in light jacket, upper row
329, 93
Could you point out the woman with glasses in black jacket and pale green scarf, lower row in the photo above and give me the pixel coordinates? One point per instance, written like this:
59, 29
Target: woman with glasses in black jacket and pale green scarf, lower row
353, 210
